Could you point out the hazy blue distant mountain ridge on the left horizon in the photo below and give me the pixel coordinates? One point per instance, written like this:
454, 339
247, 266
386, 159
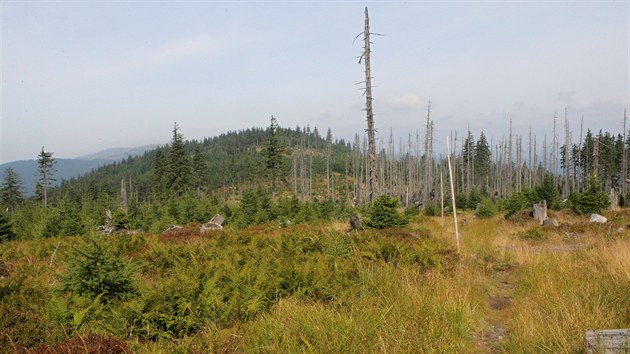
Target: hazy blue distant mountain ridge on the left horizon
71, 168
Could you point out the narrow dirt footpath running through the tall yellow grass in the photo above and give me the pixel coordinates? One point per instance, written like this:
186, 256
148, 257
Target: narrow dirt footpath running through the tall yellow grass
499, 302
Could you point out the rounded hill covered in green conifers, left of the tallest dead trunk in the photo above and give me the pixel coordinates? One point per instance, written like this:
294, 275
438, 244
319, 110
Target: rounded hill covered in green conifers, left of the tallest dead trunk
234, 160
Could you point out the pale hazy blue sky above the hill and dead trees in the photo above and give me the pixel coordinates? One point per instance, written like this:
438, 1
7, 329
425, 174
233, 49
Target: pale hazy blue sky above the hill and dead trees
83, 76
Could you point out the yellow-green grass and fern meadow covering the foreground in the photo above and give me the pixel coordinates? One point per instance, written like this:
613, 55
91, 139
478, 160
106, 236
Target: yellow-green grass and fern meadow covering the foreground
377, 295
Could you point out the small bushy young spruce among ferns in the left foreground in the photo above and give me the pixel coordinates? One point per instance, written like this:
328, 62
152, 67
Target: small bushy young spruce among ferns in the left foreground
94, 270
